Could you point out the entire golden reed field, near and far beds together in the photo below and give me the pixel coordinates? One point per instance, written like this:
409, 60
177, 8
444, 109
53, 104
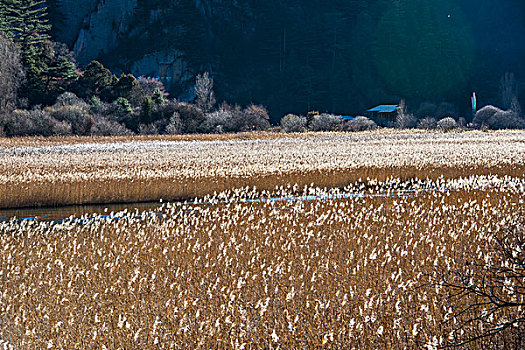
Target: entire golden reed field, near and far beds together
317, 241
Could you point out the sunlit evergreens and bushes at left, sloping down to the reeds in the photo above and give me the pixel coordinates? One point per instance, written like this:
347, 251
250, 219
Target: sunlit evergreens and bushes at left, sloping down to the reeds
43, 91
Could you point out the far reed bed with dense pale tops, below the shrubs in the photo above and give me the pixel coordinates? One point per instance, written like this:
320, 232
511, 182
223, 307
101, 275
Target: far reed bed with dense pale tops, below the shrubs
59, 172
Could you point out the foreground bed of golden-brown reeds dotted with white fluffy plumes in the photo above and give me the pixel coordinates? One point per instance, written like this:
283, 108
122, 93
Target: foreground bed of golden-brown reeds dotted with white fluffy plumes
354, 273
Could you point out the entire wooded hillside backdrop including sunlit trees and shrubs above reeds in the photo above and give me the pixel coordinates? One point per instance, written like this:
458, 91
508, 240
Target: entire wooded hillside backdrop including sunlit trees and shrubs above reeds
248, 64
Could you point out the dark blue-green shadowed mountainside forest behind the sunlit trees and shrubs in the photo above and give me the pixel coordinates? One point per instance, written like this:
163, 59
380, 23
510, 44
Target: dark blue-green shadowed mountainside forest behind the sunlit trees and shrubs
340, 56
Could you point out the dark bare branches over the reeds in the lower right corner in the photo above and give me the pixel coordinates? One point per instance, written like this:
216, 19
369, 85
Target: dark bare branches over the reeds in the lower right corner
494, 285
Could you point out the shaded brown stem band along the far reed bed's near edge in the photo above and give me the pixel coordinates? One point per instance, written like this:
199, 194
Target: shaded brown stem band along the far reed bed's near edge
38, 194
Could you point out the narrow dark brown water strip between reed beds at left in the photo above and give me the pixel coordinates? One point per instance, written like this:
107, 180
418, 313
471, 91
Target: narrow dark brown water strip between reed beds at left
54, 213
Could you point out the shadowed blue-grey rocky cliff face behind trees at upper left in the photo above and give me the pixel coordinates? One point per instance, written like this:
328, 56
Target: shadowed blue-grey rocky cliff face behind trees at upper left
147, 38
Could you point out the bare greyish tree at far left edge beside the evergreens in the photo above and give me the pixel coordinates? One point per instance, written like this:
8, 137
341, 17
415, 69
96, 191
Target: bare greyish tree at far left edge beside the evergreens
11, 73
